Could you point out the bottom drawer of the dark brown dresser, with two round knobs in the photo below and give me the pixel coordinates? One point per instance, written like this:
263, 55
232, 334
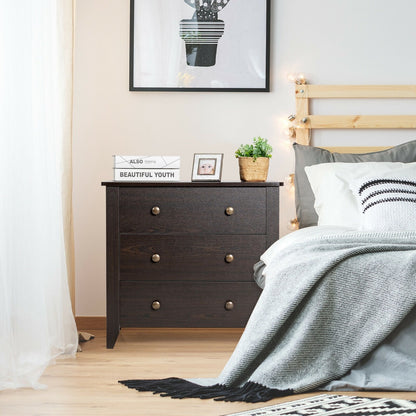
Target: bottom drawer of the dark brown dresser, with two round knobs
187, 304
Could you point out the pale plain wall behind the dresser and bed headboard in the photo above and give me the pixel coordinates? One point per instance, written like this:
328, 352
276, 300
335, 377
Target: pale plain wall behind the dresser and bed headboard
344, 42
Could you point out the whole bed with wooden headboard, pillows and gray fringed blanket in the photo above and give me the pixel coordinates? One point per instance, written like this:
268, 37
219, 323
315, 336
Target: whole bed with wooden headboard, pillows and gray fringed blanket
338, 306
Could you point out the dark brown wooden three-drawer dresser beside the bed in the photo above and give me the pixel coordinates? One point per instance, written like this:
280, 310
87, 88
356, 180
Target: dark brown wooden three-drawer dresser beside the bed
182, 254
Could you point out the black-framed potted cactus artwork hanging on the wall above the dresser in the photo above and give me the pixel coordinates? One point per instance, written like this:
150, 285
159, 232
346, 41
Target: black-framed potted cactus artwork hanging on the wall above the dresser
199, 45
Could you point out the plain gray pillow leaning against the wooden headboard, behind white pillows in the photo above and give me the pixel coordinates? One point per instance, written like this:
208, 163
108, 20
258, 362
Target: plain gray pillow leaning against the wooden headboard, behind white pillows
309, 155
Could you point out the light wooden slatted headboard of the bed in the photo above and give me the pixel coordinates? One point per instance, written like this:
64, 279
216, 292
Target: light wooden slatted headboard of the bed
304, 121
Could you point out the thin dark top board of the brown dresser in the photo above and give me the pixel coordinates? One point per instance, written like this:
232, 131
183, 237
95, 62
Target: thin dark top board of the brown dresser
191, 184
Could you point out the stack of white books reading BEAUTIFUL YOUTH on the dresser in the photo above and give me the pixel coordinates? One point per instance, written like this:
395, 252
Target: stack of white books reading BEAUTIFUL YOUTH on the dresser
147, 168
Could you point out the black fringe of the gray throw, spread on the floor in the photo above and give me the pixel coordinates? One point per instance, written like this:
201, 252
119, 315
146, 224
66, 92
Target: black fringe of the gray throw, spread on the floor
178, 388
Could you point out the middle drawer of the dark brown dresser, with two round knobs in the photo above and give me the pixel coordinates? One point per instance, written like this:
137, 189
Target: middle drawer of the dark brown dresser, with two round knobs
196, 257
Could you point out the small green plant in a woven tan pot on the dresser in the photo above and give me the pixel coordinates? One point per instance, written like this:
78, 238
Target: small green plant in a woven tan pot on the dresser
253, 160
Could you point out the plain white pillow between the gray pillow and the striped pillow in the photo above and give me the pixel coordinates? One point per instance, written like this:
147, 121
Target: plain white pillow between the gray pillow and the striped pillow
335, 202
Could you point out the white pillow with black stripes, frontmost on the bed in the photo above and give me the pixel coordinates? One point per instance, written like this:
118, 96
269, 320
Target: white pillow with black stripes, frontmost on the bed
387, 204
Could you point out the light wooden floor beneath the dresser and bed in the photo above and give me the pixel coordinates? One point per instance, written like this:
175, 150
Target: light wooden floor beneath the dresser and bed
88, 384
